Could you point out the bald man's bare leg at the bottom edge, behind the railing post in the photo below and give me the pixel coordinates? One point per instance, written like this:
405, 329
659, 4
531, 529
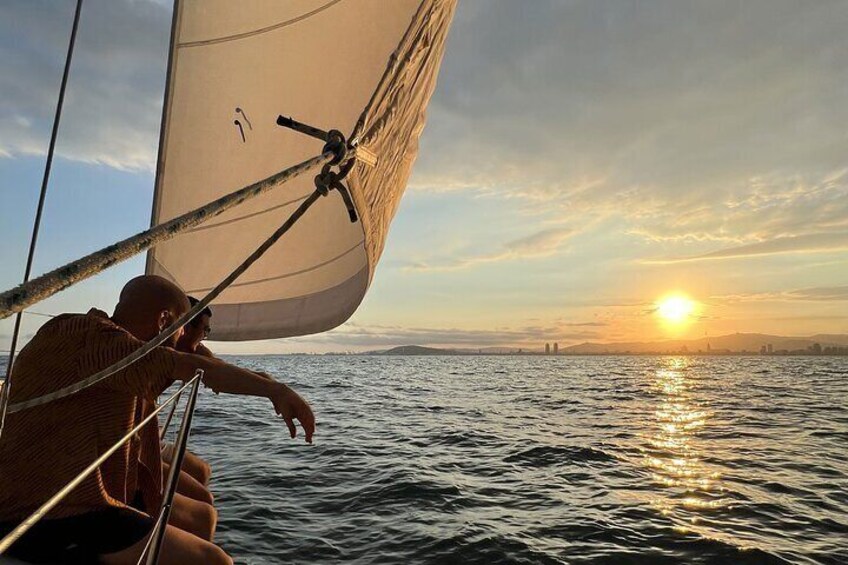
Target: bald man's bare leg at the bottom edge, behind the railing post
178, 548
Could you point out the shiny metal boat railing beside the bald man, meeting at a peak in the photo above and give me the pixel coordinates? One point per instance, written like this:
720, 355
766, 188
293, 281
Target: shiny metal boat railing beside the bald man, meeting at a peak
150, 555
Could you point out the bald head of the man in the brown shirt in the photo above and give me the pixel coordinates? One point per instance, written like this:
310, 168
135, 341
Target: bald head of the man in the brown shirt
148, 304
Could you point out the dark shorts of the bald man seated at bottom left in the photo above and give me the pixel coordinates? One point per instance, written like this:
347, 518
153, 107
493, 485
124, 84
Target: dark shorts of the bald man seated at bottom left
79, 539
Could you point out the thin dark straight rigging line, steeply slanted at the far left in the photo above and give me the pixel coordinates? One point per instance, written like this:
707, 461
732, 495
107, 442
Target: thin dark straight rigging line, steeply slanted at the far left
48, 165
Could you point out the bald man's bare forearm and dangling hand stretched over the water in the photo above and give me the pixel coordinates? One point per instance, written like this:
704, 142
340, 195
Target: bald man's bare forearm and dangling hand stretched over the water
223, 377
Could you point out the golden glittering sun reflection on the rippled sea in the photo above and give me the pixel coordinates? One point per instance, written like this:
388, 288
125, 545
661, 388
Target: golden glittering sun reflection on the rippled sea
673, 454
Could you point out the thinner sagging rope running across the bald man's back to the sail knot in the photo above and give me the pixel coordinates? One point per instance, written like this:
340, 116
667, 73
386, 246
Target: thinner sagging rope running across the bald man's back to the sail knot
173, 328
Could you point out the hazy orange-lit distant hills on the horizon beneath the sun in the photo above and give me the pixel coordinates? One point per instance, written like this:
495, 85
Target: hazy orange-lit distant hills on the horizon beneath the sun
734, 343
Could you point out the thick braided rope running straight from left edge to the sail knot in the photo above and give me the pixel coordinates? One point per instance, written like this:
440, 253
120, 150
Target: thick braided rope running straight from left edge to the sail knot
27, 294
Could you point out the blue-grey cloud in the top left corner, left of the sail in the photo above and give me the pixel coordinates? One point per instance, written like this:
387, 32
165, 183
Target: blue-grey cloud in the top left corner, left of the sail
114, 98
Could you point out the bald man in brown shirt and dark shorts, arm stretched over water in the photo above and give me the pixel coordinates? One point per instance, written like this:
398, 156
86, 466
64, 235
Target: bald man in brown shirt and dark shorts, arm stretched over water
45, 447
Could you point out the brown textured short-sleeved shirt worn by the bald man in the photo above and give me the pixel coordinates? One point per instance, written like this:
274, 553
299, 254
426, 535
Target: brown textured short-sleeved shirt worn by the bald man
43, 448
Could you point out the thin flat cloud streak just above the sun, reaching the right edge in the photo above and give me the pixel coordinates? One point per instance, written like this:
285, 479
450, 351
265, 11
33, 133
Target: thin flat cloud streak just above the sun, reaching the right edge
808, 243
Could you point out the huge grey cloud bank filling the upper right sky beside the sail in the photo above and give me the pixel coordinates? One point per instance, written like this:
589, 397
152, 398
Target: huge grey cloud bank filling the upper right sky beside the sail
688, 122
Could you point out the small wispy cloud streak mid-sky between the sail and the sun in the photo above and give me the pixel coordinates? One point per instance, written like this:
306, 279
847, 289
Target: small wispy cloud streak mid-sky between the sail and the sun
540, 244
